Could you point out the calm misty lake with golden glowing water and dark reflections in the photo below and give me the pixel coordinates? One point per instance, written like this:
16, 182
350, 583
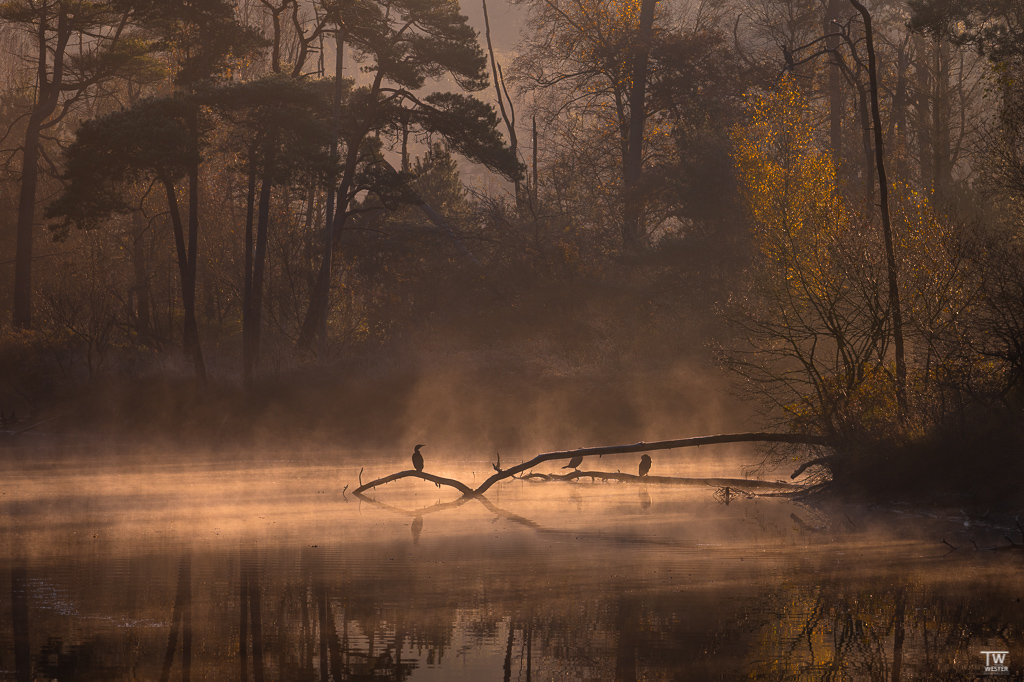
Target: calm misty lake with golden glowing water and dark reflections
153, 568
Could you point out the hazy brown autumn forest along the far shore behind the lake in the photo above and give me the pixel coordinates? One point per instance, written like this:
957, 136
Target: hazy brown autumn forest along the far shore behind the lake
204, 232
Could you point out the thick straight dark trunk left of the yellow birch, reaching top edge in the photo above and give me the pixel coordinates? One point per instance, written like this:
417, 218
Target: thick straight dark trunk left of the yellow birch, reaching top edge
633, 229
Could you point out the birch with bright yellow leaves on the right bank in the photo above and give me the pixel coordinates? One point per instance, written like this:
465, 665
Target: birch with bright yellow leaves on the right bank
814, 316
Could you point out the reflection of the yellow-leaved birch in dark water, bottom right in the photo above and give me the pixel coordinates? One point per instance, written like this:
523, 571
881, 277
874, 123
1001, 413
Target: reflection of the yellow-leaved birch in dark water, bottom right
880, 630
